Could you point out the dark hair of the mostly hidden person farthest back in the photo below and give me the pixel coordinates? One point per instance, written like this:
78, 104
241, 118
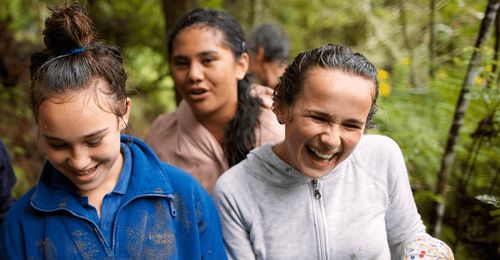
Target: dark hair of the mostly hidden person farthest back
272, 39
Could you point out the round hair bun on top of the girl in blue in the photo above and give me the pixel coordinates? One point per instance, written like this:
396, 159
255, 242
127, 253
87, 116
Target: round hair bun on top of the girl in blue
68, 28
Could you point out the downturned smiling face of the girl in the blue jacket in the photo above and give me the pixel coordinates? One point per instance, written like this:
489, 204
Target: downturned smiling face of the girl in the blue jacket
80, 139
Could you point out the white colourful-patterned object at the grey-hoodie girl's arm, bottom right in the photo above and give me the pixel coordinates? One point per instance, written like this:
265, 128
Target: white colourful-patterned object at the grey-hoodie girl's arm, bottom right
427, 248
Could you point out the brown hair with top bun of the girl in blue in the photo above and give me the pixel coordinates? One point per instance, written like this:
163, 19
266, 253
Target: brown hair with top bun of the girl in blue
73, 59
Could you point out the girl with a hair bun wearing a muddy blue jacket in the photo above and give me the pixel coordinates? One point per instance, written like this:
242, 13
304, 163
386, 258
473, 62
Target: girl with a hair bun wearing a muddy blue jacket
101, 194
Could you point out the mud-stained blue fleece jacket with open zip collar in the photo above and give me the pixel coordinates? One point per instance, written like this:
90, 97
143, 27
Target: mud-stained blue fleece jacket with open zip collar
165, 214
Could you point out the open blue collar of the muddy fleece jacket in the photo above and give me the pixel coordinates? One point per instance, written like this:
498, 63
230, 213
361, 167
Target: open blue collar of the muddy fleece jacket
148, 179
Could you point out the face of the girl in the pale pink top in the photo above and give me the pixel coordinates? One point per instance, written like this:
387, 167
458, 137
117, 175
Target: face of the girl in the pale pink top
206, 72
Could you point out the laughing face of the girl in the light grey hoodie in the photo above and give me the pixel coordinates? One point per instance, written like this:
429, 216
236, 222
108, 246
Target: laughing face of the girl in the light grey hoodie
325, 122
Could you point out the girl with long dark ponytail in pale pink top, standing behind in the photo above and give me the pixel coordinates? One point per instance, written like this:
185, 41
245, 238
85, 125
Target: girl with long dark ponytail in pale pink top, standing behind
219, 119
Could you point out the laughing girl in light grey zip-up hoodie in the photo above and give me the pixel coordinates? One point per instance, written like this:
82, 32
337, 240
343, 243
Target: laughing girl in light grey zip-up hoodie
328, 191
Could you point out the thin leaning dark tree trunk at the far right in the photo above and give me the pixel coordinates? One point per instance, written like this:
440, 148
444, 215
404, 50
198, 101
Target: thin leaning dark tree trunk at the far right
461, 108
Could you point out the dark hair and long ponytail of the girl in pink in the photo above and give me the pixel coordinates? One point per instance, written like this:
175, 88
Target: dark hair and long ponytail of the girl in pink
239, 137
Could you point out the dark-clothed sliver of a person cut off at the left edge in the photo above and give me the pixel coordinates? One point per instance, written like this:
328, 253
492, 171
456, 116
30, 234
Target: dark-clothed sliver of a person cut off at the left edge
7, 181
